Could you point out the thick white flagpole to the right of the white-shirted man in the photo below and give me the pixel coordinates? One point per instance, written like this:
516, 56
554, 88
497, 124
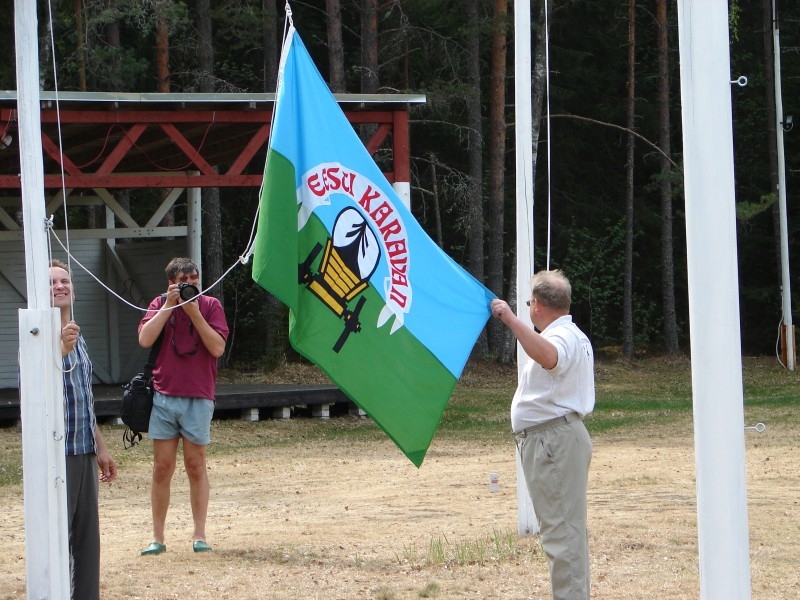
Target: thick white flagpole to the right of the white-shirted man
714, 299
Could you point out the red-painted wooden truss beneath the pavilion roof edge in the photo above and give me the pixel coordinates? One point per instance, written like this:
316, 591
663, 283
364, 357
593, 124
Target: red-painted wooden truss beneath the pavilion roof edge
127, 139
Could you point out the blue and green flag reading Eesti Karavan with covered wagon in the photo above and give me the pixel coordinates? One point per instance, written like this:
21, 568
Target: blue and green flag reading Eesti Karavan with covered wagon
373, 301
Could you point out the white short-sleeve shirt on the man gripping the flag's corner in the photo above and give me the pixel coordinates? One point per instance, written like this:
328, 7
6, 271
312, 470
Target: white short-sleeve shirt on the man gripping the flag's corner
544, 394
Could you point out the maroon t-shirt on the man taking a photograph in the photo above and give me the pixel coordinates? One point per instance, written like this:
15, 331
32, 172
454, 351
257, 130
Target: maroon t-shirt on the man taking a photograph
183, 366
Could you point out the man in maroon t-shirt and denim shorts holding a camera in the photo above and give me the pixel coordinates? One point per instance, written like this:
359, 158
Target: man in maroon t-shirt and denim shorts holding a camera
193, 330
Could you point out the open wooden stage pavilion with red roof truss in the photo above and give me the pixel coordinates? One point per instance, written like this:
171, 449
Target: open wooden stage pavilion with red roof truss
96, 144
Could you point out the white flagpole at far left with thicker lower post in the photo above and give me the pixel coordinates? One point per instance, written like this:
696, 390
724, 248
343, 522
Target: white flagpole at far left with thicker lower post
41, 385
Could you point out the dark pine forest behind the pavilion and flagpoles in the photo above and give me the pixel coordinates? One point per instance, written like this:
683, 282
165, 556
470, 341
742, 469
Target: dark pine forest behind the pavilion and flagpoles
608, 195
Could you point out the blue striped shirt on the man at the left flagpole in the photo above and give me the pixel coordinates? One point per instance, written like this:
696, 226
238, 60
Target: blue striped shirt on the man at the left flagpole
79, 401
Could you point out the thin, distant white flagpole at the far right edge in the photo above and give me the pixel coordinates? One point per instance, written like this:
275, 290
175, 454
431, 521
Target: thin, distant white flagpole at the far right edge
787, 329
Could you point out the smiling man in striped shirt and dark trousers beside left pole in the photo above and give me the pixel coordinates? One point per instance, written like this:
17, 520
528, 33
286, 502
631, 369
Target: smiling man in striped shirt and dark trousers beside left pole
85, 448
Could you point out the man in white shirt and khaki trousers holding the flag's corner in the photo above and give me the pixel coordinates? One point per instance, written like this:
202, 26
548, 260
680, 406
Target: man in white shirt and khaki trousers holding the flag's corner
555, 392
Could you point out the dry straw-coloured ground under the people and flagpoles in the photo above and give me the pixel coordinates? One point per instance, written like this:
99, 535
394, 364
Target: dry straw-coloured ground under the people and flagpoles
338, 519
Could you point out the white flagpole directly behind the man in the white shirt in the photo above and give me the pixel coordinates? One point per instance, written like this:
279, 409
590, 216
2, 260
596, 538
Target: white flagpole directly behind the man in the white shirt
523, 133
